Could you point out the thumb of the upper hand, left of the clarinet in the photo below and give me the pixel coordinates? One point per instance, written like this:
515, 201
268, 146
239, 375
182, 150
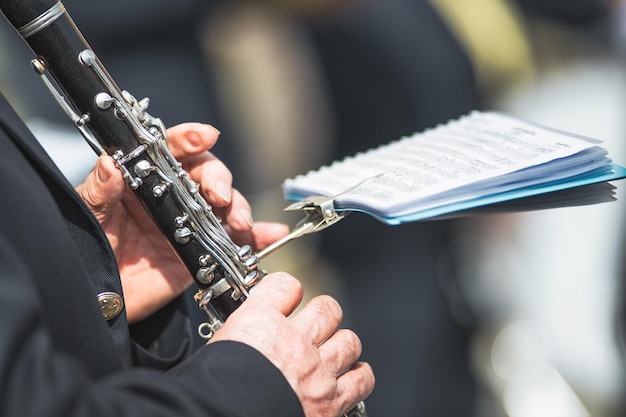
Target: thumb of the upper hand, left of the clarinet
103, 188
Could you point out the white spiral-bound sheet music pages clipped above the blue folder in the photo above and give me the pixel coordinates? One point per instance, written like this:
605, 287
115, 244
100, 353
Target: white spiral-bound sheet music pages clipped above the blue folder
418, 171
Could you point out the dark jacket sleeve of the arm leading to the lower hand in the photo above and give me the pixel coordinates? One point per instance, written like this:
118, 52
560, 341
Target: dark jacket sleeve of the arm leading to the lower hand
222, 379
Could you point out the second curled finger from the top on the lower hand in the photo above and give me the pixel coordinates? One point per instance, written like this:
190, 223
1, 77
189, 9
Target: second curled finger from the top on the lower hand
319, 318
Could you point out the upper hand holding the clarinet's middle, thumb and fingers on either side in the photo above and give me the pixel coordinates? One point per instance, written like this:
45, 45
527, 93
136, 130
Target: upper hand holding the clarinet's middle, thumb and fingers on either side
151, 273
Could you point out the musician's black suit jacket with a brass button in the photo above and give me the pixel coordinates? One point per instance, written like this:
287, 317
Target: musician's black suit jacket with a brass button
59, 356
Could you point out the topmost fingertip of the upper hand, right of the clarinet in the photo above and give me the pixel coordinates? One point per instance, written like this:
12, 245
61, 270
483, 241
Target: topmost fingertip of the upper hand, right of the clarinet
188, 139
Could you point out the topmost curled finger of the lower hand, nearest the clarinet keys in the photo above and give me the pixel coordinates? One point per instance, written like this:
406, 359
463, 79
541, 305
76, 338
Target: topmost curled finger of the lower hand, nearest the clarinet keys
280, 290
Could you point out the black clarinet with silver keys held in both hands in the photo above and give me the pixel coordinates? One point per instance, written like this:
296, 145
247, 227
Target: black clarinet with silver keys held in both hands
113, 122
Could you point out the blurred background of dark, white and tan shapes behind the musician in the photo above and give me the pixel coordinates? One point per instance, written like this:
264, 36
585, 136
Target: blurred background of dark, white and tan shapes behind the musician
503, 315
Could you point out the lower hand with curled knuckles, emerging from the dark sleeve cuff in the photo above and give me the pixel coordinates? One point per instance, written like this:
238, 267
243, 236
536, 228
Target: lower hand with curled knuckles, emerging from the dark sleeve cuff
319, 361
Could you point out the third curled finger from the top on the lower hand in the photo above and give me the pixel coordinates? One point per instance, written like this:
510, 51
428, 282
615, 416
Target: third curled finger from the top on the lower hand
341, 350
